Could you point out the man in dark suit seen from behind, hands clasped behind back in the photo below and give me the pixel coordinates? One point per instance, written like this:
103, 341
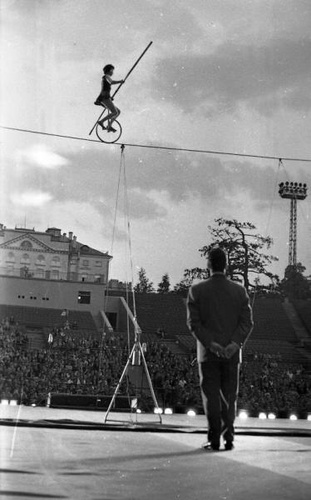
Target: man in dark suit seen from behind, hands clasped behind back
219, 316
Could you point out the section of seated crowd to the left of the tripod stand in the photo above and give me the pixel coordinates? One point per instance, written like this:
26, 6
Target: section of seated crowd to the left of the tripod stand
68, 364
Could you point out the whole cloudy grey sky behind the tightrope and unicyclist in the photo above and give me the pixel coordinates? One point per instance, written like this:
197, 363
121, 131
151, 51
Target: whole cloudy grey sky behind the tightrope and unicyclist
229, 75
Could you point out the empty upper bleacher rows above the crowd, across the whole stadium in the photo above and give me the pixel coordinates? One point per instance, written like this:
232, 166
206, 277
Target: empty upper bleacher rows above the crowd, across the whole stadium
162, 318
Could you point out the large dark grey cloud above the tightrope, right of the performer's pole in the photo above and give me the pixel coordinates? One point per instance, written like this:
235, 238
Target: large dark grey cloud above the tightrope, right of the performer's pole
263, 76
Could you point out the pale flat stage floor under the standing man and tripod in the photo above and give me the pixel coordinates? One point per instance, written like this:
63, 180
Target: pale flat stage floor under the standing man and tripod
54, 453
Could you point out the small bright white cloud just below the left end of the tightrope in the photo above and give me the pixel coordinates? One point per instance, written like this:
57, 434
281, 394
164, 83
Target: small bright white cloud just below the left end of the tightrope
39, 155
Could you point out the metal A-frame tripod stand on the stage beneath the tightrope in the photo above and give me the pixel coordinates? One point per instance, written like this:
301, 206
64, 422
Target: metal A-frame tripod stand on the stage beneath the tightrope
136, 355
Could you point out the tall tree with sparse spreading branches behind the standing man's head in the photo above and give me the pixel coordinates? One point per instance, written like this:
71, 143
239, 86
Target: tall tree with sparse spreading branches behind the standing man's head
247, 260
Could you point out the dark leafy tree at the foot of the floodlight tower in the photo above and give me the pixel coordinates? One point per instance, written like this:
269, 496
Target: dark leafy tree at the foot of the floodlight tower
295, 285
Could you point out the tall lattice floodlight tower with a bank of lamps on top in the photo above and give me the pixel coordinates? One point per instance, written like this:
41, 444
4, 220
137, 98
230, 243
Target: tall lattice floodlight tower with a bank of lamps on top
293, 192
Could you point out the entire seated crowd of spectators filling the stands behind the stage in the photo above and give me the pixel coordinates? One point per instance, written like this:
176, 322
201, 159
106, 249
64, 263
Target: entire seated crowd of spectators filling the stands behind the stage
77, 364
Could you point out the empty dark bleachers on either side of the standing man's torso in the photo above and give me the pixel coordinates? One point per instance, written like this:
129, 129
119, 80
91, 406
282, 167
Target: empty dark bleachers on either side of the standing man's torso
273, 332
